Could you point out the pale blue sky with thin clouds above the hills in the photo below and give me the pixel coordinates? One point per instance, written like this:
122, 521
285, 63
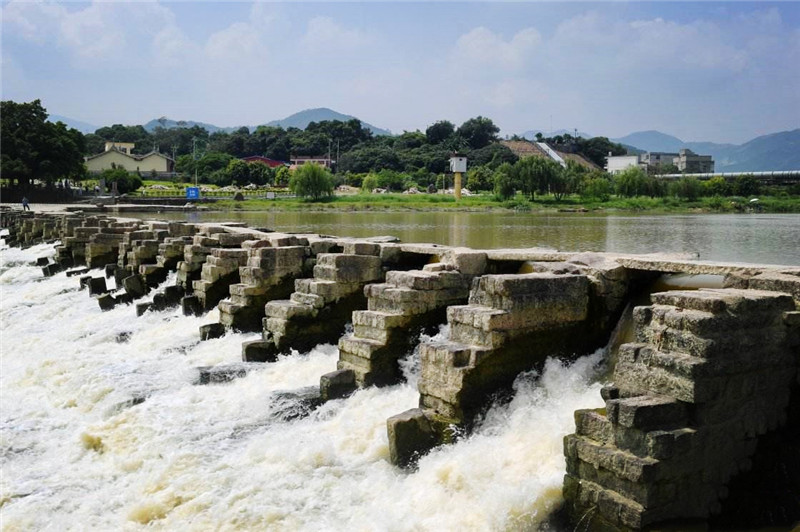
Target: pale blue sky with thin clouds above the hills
702, 71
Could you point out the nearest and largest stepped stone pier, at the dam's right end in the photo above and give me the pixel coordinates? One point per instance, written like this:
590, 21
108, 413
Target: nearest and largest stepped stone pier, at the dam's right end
711, 371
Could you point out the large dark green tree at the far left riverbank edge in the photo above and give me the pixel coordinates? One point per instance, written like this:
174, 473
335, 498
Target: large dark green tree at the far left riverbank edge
33, 148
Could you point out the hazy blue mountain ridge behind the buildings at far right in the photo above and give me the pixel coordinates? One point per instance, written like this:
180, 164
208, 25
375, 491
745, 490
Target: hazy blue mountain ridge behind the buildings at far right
777, 151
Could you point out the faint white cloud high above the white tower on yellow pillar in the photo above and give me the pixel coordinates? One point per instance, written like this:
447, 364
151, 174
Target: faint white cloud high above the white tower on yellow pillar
482, 47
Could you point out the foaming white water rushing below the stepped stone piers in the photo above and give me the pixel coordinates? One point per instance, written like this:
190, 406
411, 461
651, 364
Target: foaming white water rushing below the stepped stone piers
103, 428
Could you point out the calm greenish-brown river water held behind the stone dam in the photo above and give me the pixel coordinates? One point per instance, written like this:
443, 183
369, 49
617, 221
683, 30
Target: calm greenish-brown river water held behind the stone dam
758, 238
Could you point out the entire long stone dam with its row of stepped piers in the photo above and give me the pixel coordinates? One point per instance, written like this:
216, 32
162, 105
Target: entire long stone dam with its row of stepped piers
702, 405
